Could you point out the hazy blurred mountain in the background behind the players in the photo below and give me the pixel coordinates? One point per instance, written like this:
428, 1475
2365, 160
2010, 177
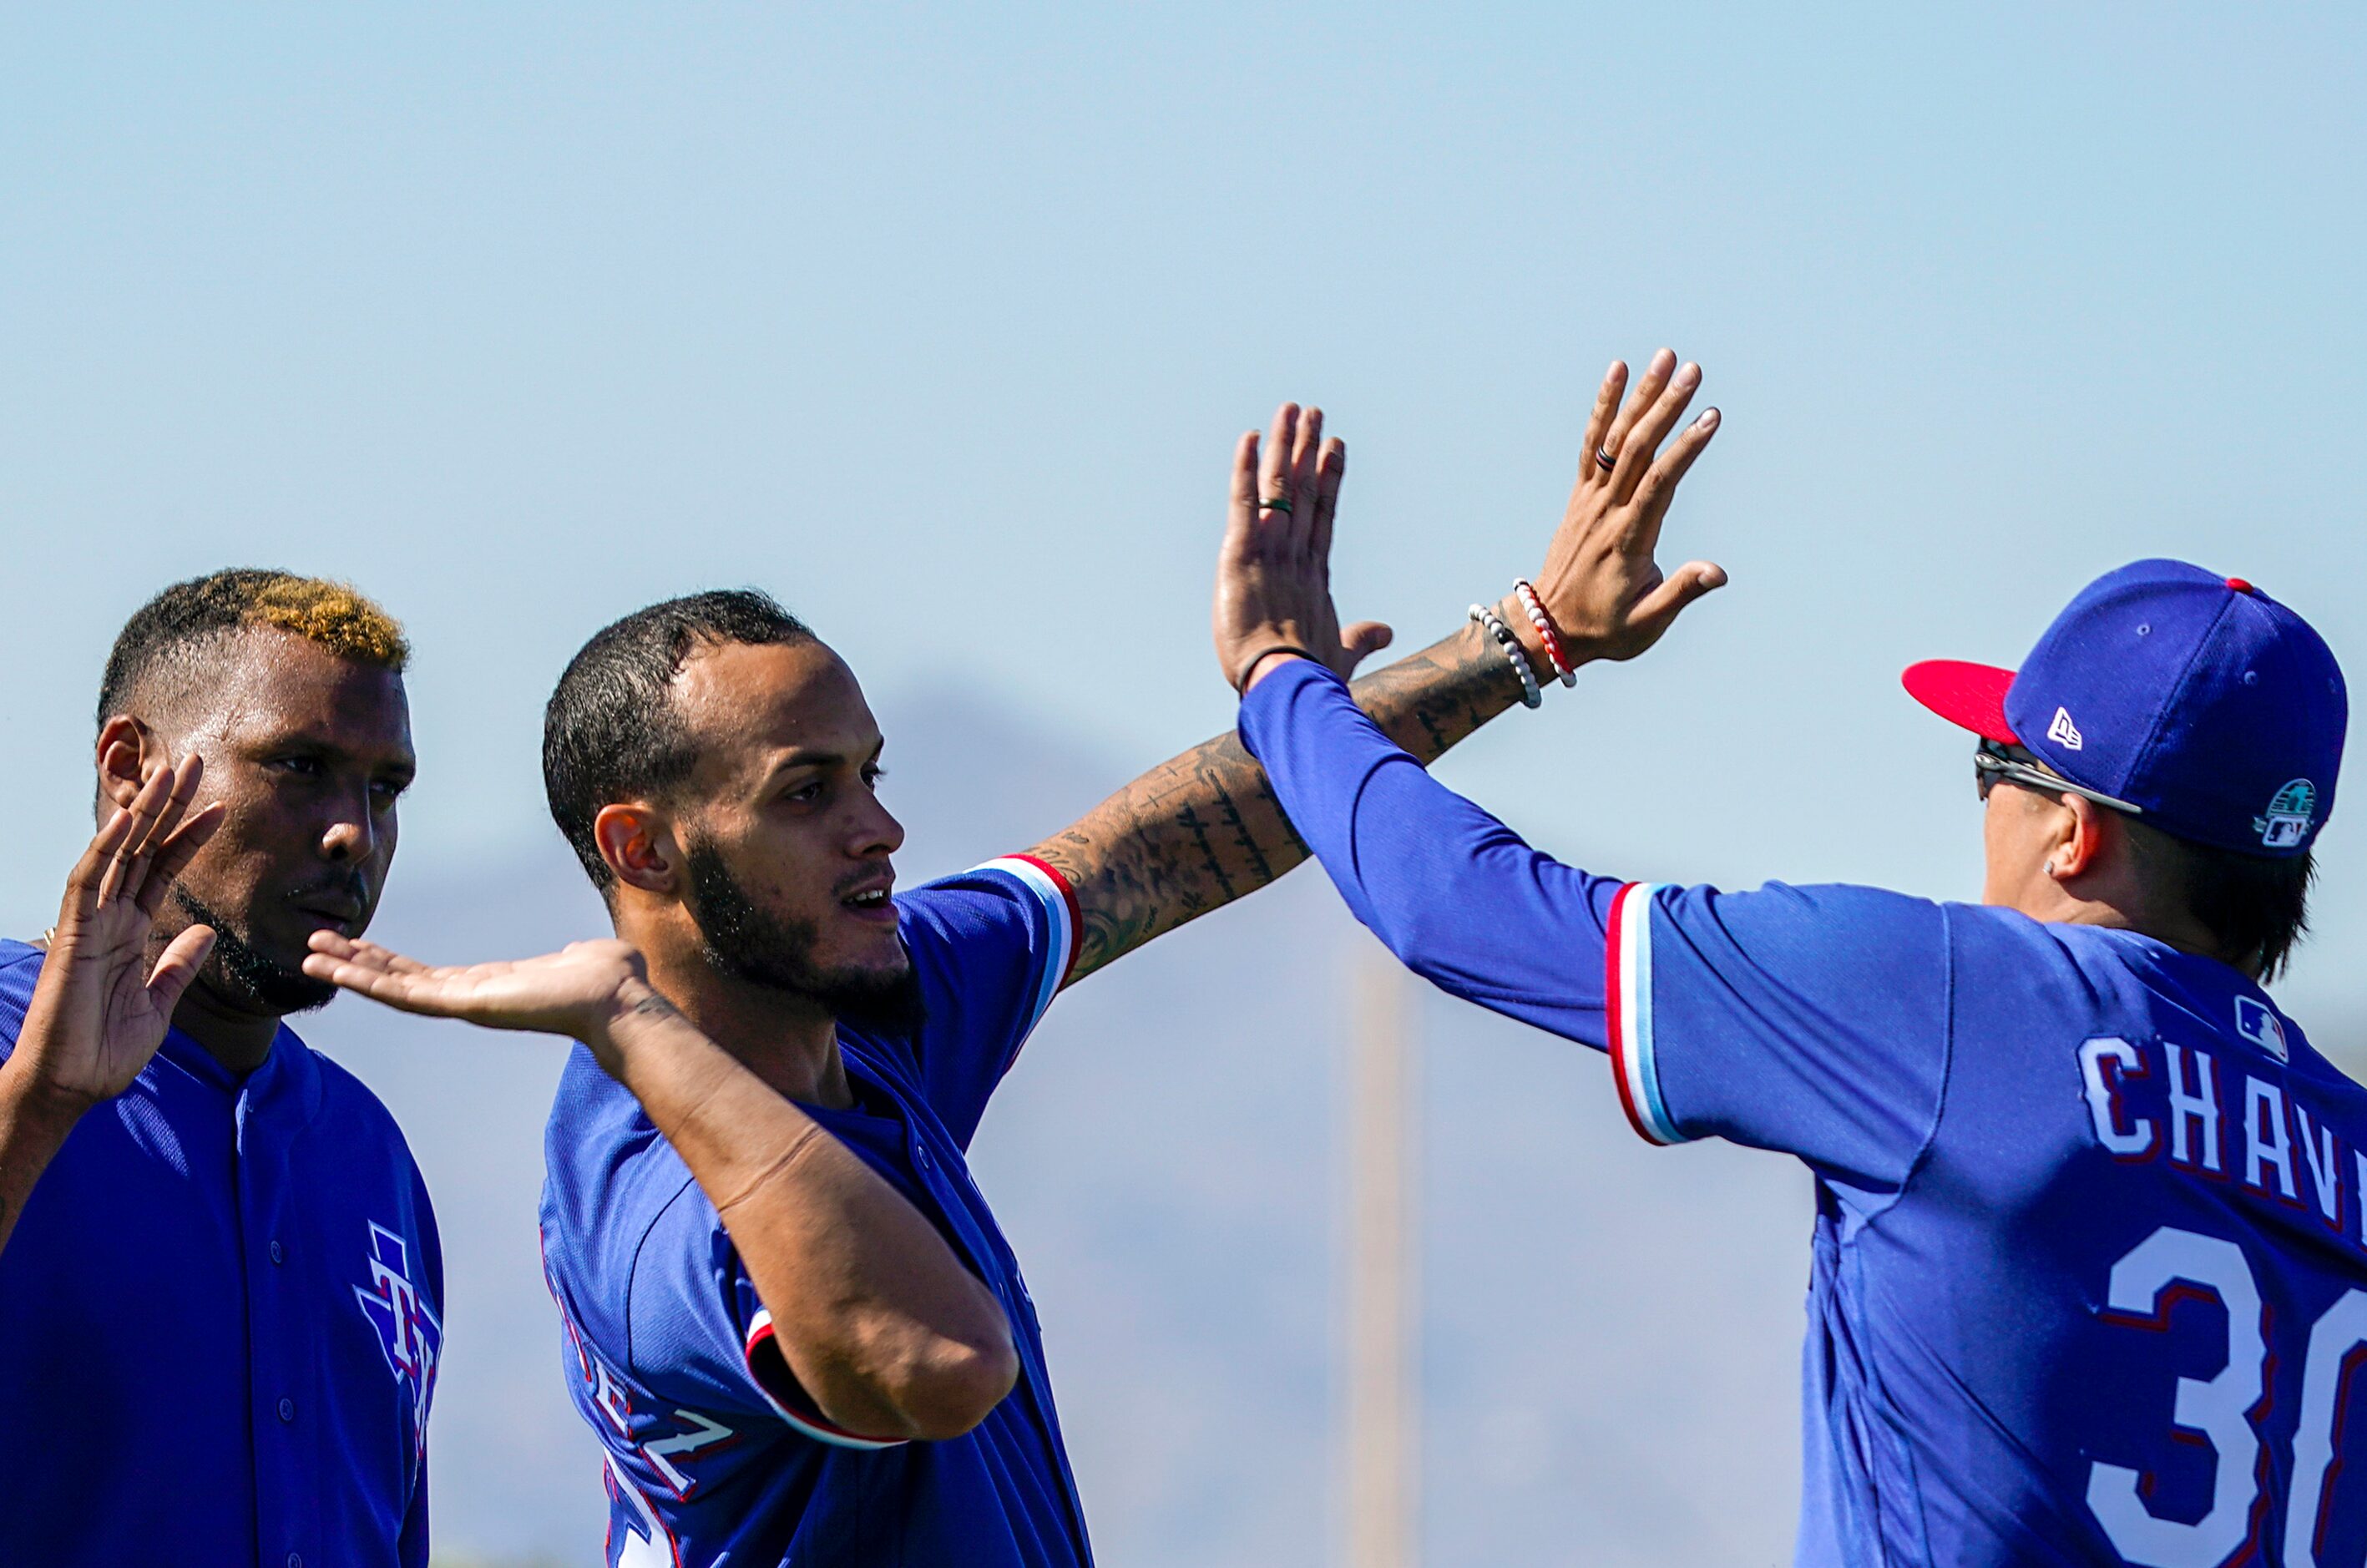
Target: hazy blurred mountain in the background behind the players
1613, 1332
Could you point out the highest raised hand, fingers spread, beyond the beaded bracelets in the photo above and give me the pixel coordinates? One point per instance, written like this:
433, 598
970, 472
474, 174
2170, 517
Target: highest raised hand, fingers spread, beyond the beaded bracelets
1601, 584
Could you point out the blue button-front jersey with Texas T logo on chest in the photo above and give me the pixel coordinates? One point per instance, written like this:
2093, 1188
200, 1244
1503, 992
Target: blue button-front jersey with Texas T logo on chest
221, 1320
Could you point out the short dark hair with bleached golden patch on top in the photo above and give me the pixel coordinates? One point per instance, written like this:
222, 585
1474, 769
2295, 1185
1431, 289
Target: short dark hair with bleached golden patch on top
169, 626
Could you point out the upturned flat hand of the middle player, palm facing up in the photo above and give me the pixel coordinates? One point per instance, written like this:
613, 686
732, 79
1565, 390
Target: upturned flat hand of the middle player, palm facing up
579, 991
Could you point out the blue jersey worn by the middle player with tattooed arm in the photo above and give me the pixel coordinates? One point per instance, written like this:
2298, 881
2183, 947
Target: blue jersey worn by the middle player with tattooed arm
714, 1453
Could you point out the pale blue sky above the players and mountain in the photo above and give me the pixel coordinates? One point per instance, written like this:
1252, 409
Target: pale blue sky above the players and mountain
941, 321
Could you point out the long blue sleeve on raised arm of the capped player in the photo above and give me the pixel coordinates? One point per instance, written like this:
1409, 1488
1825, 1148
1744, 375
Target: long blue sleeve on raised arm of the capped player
1800, 1020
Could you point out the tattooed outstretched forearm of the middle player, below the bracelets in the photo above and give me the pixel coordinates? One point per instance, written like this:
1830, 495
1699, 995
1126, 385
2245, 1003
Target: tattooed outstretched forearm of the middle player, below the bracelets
1204, 828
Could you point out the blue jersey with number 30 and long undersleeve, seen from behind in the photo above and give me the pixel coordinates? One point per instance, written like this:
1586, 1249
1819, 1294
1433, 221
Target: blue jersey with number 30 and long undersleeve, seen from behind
2089, 1271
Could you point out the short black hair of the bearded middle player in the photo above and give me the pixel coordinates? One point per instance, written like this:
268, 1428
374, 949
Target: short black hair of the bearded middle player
614, 731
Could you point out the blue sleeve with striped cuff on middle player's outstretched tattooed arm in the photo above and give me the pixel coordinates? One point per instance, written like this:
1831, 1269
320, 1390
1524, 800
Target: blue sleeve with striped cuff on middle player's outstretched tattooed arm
991, 949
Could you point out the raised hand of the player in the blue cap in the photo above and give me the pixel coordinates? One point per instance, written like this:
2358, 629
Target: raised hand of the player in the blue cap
1275, 567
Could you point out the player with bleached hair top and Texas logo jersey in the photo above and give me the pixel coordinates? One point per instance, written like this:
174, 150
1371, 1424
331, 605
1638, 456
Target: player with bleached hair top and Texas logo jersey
221, 1290
